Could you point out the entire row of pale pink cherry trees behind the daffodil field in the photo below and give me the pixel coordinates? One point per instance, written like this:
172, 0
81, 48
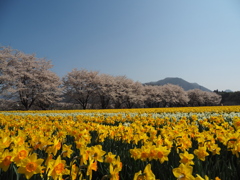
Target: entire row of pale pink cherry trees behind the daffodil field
26, 81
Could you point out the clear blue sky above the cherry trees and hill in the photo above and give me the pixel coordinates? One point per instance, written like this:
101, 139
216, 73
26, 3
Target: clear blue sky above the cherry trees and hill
146, 40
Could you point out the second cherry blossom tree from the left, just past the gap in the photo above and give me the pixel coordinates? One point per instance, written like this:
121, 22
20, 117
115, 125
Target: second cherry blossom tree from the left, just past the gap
80, 86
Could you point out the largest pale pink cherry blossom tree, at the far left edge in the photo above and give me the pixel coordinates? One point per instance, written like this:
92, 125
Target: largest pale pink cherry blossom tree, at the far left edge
27, 79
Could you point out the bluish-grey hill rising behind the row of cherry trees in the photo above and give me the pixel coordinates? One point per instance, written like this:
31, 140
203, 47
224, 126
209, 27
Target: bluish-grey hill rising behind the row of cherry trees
180, 82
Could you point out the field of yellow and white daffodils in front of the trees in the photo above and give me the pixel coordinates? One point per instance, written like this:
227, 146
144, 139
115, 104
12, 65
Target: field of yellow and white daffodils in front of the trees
191, 143
